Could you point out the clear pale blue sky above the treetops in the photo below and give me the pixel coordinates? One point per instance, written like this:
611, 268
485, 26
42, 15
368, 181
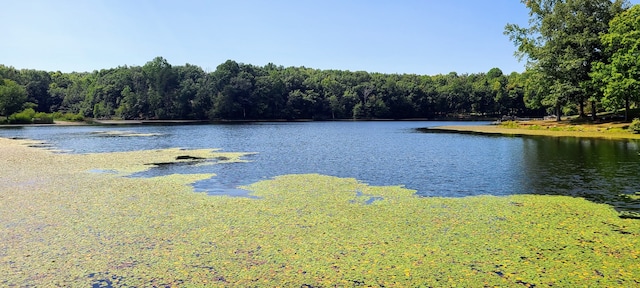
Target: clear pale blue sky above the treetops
425, 37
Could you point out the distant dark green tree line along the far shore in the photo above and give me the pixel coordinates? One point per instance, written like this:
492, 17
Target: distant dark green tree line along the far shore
158, 90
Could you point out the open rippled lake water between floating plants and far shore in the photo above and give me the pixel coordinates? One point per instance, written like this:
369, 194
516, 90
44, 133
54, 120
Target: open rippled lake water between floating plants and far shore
382, 153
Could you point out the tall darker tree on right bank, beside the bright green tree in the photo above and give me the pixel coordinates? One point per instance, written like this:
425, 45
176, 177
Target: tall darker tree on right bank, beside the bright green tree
562, 42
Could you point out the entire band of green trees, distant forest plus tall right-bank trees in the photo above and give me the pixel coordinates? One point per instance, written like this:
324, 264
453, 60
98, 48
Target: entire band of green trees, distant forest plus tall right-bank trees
582, 57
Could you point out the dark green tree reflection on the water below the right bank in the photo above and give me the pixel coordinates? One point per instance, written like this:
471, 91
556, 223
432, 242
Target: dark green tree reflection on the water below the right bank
596, 169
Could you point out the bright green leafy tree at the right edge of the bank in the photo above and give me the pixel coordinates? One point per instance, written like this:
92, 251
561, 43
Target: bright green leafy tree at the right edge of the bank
620, 77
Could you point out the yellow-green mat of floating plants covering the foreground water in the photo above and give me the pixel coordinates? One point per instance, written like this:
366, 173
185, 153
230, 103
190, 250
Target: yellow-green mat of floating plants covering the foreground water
63, 224
